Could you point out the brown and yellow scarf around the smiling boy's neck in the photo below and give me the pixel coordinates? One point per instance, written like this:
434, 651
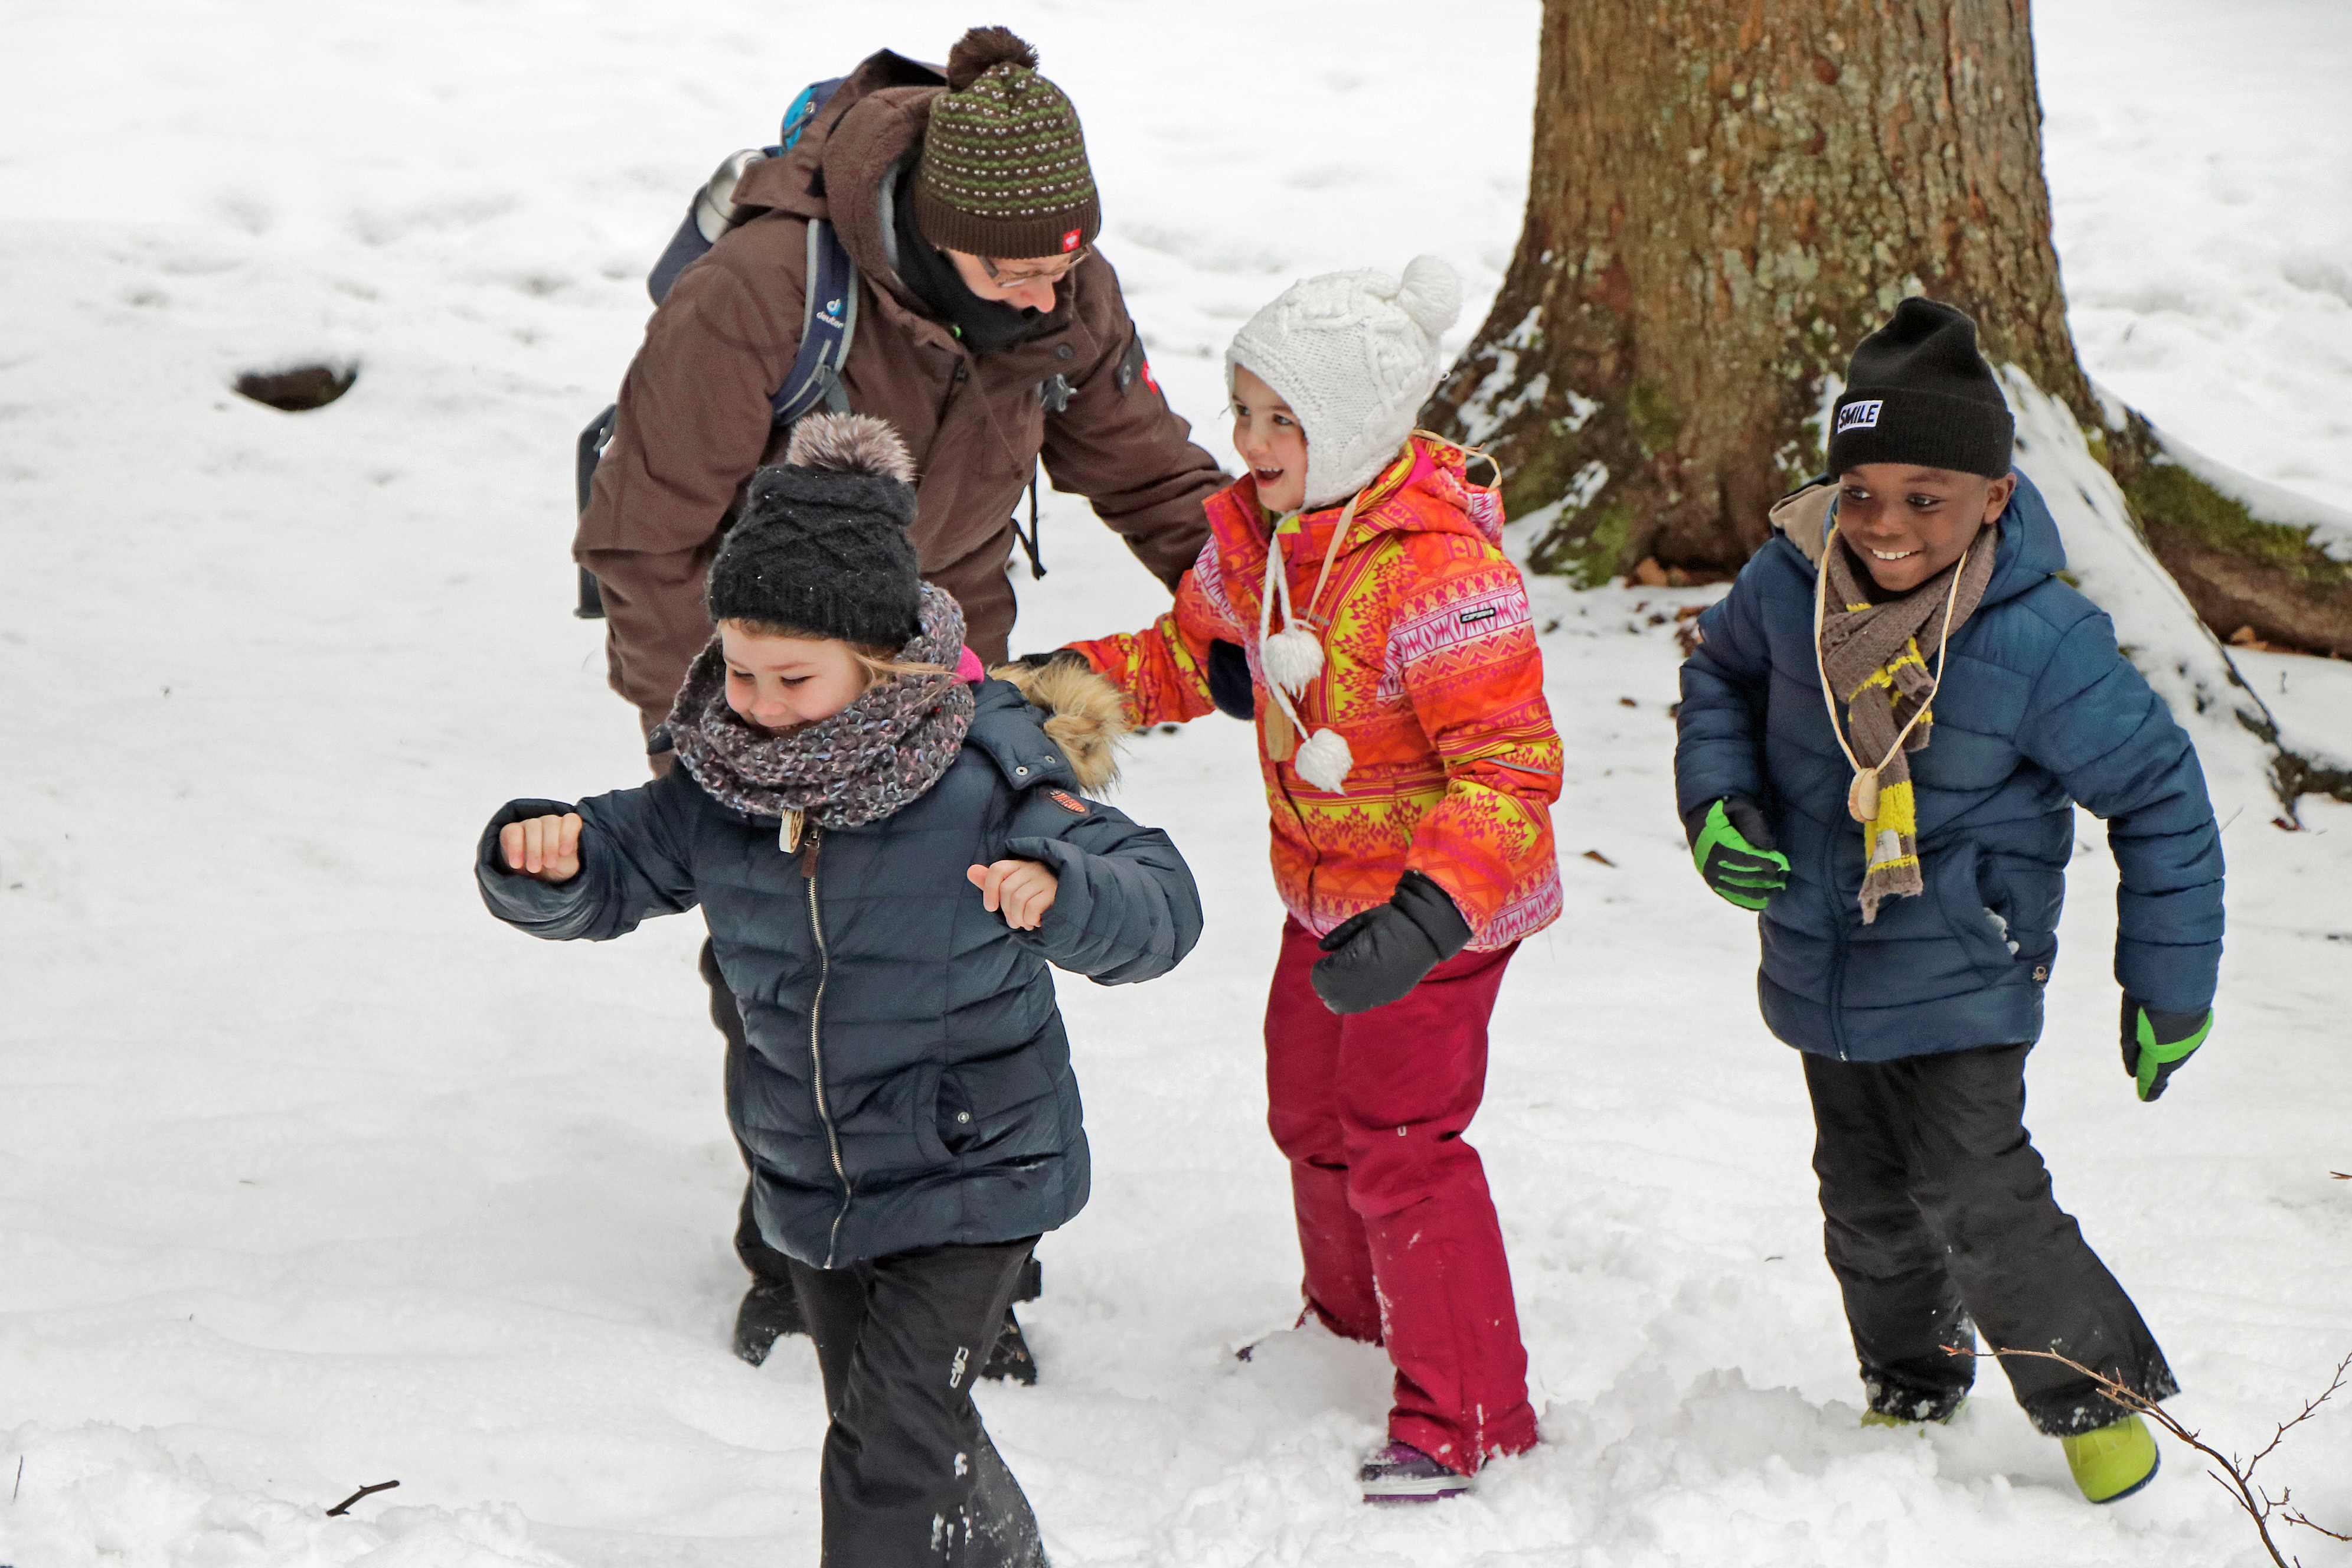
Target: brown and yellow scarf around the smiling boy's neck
1873, 664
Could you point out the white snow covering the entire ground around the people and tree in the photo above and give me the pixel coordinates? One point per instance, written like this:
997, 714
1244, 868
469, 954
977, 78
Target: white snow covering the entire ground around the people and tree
312, 1177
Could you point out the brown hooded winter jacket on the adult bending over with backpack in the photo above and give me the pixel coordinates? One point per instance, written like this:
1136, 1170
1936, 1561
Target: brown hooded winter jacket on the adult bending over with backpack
695, 408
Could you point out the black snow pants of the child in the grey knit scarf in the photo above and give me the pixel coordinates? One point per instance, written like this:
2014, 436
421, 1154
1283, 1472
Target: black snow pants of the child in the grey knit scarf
909, 1475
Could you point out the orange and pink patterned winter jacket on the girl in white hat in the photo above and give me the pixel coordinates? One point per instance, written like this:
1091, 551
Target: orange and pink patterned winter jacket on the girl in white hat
1431, 676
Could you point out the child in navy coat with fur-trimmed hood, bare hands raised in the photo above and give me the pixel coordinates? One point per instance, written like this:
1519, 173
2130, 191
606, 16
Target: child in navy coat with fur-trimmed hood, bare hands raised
890, 852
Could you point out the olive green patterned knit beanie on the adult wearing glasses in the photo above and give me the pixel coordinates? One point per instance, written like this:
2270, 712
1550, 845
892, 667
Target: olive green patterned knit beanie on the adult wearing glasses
1003, 163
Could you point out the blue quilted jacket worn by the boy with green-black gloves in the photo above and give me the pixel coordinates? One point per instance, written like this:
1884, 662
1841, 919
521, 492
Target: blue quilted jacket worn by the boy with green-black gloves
2038, 711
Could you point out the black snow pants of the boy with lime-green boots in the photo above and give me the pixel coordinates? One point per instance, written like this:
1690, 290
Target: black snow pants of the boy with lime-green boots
1942, 1226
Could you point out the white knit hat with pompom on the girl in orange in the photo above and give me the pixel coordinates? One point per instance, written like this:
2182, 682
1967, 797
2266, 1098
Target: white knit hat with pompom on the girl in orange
1356, 356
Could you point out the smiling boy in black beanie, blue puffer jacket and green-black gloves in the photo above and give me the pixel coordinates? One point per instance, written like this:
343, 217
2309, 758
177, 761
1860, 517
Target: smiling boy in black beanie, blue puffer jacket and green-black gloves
1883, 739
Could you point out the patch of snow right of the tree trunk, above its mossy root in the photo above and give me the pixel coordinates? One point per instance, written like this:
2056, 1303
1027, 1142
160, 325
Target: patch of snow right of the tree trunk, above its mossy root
2200, 170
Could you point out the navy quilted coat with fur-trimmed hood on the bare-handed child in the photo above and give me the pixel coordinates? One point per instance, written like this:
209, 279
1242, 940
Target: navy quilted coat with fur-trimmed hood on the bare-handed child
909, 1078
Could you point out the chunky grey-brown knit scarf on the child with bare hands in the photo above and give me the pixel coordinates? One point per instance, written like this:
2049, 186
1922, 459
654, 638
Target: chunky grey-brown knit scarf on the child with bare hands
869, 760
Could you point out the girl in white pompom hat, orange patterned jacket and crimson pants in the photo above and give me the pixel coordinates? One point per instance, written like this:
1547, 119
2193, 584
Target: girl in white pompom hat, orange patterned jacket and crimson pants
1410, 760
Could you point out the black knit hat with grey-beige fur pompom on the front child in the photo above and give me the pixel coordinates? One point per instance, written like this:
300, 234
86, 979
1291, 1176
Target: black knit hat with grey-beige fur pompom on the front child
822, 540
